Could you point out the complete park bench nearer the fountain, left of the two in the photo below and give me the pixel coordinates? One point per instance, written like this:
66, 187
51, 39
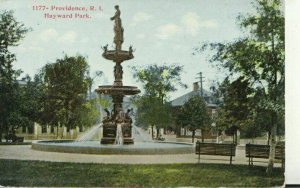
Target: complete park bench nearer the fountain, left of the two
215, 149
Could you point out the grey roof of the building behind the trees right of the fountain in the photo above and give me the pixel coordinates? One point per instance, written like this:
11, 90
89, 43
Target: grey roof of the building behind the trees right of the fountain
184, 98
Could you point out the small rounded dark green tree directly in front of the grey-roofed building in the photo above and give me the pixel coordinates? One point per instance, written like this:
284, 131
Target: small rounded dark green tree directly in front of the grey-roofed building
194, 114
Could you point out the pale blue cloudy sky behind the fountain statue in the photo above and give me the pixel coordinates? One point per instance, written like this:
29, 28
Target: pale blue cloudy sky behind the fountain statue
161, 31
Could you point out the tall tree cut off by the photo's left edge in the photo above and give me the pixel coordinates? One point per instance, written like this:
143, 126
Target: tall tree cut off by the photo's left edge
11, 32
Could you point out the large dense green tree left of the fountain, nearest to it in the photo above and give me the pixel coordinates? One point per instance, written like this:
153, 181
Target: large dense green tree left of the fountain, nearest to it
66, 84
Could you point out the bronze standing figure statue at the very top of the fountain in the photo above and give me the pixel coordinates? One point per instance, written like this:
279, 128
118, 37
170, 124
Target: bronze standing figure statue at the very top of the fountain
118, 29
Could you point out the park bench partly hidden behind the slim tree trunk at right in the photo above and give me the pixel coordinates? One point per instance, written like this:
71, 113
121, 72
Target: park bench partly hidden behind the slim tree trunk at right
262, 151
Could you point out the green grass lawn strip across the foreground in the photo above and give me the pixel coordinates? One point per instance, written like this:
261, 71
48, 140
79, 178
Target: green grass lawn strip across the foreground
50, 174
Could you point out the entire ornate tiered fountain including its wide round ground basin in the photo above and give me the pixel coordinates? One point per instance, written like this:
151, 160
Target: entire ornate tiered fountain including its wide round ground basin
117, 124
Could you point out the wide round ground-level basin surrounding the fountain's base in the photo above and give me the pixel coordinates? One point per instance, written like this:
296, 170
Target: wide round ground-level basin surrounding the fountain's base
93, 147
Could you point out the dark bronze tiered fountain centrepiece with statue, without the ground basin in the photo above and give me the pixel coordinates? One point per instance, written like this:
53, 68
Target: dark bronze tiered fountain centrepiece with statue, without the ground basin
117, 125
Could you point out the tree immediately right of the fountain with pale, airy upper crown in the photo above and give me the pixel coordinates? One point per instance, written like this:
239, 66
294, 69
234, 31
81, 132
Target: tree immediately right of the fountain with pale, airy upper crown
158, 82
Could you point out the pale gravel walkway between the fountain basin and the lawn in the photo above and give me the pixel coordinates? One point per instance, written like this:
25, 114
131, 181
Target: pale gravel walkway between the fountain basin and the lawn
24, 152
